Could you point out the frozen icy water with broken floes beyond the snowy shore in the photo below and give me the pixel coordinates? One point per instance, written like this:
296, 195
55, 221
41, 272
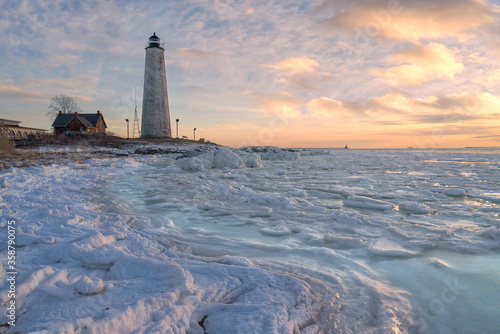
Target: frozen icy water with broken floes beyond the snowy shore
401, 236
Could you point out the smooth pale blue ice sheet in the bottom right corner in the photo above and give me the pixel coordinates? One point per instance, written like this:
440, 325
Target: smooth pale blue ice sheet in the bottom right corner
454, 293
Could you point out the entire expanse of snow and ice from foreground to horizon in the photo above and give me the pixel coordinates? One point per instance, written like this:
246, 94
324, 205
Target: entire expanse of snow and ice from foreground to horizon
256, 241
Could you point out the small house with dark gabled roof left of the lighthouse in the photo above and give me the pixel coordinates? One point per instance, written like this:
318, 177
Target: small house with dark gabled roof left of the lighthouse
79, 123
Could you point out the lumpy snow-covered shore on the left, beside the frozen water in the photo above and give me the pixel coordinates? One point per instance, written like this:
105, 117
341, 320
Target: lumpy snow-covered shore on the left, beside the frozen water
82, 270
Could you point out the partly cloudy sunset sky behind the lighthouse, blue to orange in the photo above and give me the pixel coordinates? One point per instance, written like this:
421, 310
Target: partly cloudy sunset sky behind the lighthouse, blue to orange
288, 73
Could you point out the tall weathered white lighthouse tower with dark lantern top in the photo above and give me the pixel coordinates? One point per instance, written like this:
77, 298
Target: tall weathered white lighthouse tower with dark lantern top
155, 113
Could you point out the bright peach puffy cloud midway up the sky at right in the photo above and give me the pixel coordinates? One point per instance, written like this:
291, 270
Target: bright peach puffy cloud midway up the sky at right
423, 64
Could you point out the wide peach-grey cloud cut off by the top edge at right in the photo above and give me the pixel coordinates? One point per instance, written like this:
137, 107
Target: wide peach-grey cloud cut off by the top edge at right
407, 20
